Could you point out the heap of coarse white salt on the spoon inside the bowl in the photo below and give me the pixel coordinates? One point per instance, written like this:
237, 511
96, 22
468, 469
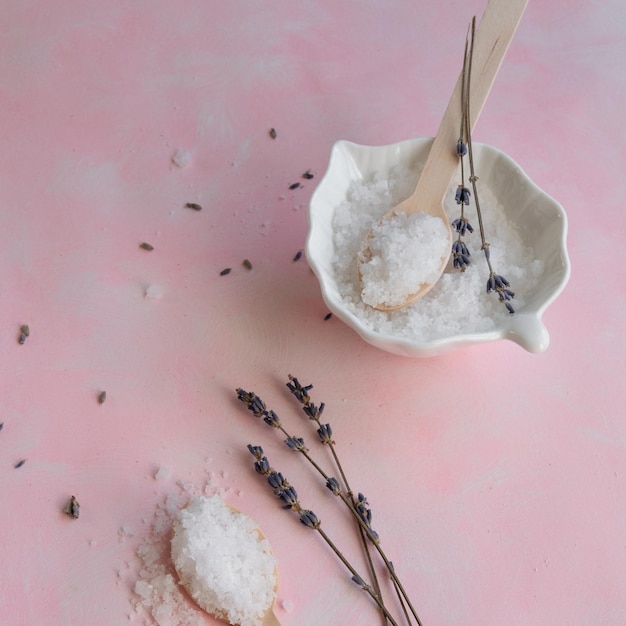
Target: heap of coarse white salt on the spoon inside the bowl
403, 252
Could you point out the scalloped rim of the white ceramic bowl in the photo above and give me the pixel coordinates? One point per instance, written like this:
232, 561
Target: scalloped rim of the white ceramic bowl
354, 160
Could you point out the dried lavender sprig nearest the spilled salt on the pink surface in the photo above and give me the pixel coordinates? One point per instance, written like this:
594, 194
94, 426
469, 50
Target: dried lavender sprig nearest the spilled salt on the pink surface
288, 495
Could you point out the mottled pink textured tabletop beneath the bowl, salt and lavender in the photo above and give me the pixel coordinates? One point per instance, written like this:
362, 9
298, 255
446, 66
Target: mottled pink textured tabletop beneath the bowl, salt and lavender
496, 477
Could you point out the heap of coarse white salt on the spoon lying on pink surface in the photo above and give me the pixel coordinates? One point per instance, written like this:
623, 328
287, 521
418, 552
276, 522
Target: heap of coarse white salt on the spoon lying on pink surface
223, 562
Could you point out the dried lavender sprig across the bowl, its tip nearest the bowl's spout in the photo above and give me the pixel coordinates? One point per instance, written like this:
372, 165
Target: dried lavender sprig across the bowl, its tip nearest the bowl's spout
495, 282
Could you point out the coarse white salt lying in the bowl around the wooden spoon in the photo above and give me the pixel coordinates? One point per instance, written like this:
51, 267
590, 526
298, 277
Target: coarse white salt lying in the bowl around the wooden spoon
458, 302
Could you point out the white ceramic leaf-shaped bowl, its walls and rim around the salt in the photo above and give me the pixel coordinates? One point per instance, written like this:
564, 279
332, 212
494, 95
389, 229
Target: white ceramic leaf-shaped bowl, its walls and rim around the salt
540, 220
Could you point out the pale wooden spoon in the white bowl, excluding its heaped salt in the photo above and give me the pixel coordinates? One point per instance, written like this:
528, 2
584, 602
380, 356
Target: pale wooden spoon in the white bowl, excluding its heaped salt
492, 39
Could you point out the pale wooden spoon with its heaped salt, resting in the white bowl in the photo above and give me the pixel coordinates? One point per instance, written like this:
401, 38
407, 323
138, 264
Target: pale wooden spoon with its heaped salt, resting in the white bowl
387, 249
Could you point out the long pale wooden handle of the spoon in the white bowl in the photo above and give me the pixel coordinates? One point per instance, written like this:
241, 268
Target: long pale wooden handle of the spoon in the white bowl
493, 36
